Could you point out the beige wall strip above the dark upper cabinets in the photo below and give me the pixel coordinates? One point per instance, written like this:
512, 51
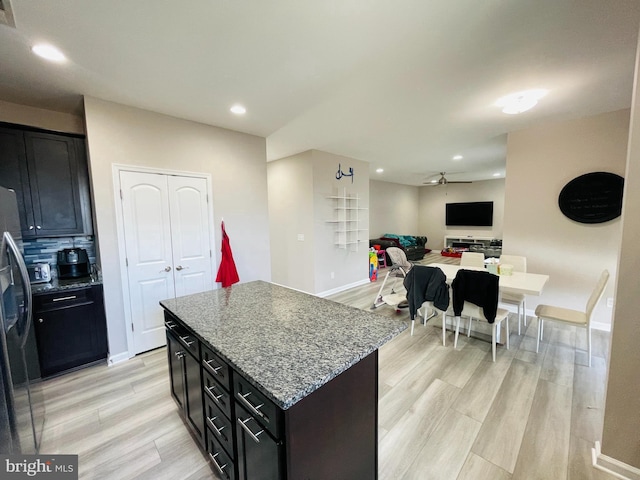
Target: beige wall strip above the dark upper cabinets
40, 118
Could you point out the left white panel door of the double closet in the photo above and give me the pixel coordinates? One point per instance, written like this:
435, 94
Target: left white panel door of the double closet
147, 231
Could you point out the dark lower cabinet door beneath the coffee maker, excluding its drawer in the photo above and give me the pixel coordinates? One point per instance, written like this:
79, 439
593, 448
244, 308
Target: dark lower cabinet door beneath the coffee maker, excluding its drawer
67, 338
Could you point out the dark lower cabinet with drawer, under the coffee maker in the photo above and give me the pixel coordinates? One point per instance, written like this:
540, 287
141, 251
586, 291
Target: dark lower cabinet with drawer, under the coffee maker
70, 328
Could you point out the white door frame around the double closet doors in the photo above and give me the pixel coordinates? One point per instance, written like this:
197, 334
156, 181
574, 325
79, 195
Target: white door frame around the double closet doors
116, 168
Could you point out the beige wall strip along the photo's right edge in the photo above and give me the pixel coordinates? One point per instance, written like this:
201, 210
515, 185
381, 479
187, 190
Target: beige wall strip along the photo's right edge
620, 438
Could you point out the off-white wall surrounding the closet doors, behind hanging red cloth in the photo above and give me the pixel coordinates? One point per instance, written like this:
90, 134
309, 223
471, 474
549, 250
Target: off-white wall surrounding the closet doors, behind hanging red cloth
235, 161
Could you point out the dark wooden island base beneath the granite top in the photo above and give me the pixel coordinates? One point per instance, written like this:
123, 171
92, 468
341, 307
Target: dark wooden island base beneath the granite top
330, 434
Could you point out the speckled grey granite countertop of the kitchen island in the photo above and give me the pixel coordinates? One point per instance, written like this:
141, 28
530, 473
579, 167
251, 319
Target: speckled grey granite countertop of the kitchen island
288, 343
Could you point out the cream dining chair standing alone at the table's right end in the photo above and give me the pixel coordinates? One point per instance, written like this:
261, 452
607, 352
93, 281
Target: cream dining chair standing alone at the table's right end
569, 316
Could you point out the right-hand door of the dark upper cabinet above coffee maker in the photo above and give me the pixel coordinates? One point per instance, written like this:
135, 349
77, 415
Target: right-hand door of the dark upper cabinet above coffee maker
53, 166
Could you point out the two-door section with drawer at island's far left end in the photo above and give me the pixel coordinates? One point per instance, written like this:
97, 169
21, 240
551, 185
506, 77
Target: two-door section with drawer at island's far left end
186, 378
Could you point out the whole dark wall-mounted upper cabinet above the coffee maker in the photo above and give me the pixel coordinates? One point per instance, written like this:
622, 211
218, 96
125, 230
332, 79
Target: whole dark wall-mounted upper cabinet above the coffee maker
49, 173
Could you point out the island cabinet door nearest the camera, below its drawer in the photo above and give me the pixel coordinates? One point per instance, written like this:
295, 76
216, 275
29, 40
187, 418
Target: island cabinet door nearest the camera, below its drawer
259, 455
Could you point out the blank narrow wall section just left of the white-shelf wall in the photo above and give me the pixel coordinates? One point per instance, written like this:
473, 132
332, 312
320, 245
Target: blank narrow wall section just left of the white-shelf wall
290, 183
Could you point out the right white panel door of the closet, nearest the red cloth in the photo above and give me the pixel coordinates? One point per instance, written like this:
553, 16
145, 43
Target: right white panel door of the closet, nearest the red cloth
190, 234
